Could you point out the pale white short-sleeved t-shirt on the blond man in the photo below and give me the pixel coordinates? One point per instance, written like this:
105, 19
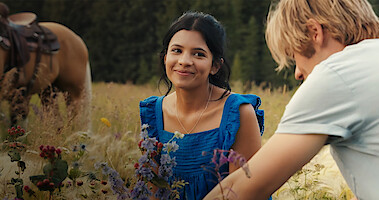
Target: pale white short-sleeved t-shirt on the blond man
340, 98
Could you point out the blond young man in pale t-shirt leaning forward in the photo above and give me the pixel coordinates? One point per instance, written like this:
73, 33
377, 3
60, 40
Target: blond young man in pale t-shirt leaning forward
335, 47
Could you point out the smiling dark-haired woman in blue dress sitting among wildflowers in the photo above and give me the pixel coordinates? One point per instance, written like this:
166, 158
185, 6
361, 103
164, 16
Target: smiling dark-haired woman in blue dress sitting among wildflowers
202, 107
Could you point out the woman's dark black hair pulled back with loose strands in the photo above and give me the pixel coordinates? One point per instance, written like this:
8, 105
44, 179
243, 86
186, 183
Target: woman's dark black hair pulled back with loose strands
215, 38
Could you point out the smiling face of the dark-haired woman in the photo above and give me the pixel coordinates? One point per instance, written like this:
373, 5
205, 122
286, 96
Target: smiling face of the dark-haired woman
188, 60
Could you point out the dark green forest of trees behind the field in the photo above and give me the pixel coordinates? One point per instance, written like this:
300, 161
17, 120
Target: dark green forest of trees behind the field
124, 36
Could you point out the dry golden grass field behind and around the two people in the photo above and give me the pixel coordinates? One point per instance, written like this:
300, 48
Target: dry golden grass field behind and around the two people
116, 144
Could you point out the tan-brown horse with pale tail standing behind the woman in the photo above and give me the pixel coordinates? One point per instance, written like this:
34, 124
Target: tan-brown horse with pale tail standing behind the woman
65, 70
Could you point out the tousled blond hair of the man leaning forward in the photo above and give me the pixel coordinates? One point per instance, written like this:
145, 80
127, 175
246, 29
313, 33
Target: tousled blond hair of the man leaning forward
347, 21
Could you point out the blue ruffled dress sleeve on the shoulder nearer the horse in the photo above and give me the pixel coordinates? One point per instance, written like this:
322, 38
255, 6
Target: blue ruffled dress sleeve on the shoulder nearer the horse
148, 116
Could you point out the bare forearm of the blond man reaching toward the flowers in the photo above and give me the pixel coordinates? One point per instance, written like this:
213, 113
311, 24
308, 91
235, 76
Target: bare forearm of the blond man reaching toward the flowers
271, 166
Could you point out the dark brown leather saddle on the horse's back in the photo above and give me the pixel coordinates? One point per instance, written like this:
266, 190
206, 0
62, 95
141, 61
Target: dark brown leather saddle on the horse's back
23, 34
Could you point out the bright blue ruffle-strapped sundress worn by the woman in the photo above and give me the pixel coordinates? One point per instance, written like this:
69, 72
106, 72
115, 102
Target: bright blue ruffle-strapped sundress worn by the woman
192, 165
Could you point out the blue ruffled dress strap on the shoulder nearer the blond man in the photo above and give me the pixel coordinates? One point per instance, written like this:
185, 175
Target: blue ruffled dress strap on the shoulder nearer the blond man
231, 121
